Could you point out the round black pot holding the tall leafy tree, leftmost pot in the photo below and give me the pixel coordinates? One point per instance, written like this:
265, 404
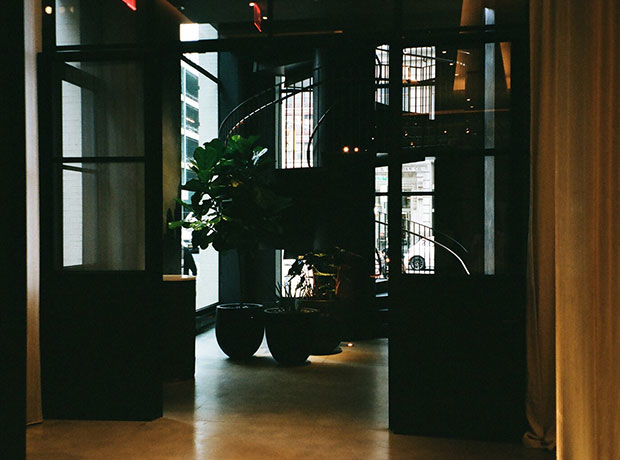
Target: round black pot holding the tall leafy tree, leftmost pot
239, 329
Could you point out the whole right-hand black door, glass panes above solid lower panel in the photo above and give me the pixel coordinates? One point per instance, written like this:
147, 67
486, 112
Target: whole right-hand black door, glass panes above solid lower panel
455, 211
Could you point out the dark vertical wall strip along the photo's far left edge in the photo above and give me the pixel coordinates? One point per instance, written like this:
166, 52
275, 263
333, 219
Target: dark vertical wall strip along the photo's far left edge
13, 235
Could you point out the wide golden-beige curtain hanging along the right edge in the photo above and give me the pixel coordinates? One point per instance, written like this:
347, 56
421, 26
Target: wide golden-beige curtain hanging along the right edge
575, 242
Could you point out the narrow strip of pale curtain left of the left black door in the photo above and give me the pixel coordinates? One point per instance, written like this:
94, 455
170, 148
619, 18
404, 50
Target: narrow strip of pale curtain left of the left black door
32, 37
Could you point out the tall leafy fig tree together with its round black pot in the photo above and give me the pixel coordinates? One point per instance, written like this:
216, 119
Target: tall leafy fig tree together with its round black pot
234, 206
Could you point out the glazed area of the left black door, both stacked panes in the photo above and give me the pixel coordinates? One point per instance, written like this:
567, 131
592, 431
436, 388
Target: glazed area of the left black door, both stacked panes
100, 167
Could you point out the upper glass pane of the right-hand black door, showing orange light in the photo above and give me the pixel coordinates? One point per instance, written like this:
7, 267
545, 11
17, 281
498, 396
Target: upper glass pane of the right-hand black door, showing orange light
456, 97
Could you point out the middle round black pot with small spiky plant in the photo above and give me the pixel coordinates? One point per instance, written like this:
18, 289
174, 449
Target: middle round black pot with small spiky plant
290, 334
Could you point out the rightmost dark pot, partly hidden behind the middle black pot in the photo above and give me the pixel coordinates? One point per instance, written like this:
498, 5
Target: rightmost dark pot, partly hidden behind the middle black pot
329, 328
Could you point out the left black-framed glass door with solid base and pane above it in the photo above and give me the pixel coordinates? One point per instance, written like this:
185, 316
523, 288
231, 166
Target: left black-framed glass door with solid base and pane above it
101, 143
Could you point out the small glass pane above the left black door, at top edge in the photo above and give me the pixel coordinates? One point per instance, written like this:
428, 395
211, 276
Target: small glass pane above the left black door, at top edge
87, 22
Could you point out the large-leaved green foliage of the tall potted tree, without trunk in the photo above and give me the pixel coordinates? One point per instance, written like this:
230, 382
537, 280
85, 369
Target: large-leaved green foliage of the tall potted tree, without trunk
234, 204
